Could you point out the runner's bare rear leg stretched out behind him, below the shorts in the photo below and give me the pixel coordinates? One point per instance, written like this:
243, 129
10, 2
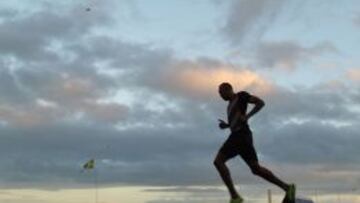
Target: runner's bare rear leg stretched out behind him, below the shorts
267, 175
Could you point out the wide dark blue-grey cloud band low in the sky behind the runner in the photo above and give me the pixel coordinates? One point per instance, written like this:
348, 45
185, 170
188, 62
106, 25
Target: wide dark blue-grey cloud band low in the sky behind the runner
161, 156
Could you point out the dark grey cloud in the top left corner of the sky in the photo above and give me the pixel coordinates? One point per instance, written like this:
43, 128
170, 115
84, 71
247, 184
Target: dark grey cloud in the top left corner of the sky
29, 37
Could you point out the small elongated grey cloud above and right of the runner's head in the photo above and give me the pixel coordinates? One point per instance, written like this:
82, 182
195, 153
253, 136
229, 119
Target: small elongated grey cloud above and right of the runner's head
288, 54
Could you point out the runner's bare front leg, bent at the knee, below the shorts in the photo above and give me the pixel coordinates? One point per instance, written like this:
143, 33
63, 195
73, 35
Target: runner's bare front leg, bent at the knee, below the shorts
224, 172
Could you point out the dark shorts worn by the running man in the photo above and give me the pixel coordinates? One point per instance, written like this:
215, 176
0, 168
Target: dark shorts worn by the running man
240, 143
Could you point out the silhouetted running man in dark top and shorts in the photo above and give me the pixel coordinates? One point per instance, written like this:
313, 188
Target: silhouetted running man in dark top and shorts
240, 142
